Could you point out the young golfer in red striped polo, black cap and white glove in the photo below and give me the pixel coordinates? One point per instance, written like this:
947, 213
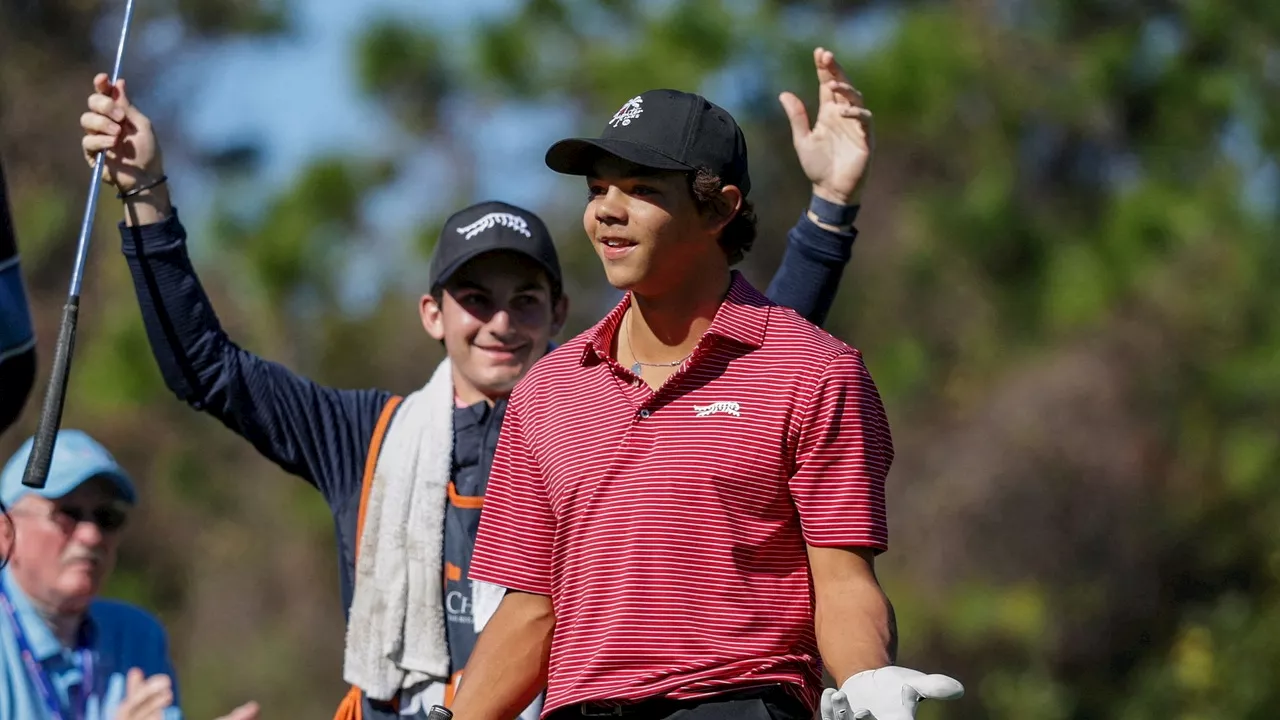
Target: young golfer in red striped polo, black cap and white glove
688, 499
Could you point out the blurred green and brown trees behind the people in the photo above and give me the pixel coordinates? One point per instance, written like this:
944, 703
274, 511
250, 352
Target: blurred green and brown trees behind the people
1063, 288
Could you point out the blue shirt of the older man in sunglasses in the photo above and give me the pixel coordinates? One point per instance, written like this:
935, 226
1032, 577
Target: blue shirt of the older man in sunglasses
120, 637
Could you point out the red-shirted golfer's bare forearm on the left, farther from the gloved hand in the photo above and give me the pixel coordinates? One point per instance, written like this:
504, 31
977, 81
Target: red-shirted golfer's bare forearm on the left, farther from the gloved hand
509, 667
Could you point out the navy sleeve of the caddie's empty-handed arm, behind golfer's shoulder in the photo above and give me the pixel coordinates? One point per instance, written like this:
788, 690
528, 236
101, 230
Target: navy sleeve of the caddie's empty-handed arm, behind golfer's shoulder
810, 276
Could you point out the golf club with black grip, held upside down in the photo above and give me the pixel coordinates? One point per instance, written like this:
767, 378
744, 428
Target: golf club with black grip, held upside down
56, 394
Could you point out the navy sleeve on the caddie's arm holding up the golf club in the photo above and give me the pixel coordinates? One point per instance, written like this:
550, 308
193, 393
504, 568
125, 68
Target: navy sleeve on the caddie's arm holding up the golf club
312, 431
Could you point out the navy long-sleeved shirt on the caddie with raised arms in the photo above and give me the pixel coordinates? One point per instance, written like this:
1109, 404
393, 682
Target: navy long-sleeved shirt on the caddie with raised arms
323, 434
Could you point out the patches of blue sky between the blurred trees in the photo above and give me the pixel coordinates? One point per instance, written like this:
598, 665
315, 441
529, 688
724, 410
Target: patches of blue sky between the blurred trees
298, 97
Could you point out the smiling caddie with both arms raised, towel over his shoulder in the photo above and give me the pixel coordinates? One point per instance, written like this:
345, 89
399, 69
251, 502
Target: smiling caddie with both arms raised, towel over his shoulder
422, 463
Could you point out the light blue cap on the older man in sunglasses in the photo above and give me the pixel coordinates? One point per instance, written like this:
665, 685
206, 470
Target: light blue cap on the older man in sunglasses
77, 458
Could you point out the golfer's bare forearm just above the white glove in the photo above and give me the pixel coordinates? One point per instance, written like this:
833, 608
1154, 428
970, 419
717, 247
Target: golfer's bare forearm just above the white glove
857, 630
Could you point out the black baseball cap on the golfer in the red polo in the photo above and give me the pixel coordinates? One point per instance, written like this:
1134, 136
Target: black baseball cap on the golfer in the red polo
665, 130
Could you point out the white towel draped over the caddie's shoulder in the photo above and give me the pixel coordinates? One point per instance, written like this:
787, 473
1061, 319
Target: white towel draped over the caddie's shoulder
396, 632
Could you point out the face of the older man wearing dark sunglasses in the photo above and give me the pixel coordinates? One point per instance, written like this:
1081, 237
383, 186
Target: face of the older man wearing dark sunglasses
66, 549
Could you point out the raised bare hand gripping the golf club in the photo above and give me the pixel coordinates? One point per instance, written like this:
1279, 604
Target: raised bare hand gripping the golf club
116, 126
